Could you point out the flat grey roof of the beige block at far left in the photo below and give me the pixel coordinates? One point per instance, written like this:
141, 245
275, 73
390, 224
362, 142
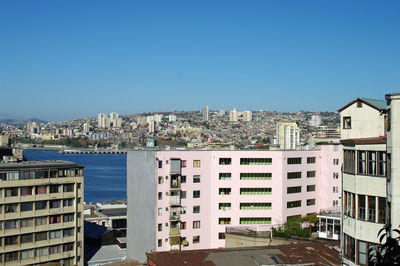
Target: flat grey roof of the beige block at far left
38, 164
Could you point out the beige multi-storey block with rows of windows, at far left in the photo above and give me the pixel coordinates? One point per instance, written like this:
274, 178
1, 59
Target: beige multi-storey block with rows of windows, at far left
41, 213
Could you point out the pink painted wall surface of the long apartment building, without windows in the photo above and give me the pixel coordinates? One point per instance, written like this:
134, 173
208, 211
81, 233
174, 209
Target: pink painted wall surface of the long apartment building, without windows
209, 189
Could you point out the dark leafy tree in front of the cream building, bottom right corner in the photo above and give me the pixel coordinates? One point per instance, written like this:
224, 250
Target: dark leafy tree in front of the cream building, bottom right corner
388, 252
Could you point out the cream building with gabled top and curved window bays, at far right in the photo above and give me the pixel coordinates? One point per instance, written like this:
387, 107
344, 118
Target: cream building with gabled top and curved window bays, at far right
366, 167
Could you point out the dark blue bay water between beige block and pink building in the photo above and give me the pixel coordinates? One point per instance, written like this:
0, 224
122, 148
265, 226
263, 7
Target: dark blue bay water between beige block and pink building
105, 174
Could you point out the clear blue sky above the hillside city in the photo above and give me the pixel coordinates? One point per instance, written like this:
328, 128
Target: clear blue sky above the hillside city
72, 59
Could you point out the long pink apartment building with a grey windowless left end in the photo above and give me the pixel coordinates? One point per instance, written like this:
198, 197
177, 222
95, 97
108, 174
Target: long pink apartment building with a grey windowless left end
182, 200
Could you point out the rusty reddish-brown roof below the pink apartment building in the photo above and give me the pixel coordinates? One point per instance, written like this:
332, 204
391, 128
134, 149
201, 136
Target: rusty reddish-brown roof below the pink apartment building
315, 253
